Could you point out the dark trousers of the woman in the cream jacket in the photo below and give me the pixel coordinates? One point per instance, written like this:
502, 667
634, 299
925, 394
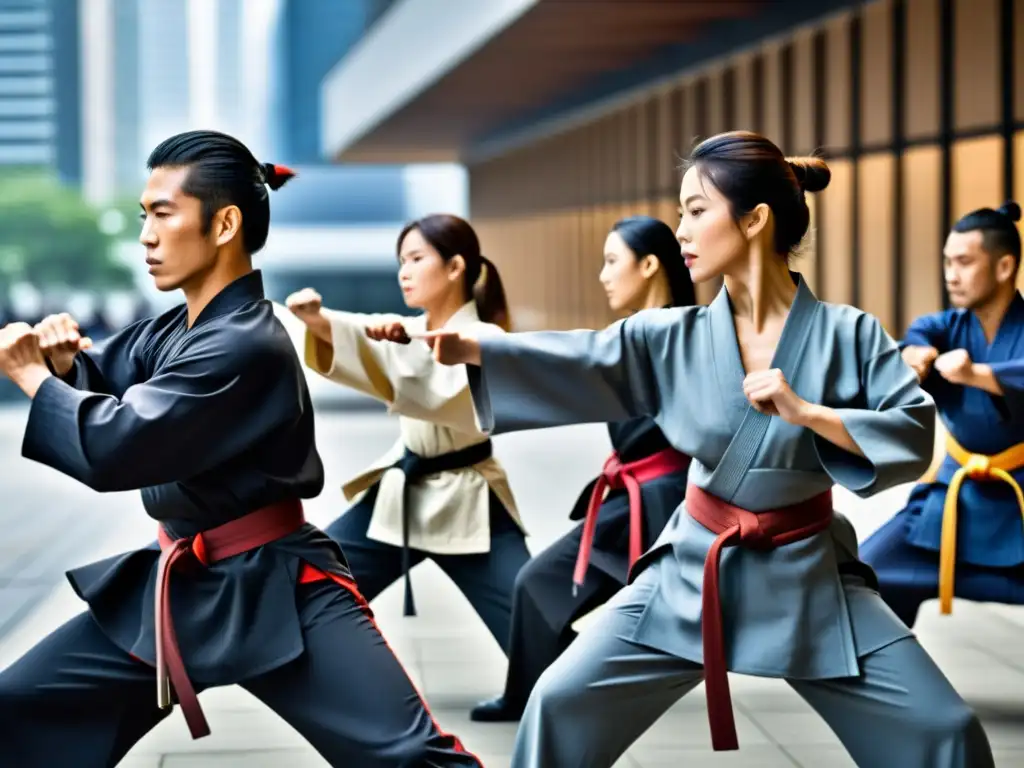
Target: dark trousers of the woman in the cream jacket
487, 580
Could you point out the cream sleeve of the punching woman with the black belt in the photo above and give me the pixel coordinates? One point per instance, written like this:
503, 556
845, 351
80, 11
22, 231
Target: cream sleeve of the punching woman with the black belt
405, 376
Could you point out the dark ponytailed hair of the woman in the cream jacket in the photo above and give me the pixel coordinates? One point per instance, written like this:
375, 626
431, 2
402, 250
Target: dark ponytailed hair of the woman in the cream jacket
452, 237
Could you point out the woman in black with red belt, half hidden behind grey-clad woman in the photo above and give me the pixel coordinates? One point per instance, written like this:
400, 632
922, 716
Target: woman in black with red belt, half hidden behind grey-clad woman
646, 479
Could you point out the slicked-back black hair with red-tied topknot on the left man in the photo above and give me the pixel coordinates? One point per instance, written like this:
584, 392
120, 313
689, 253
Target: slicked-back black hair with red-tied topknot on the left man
223, 173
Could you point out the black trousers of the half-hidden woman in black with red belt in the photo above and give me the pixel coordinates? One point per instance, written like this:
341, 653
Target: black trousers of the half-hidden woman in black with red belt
544, 610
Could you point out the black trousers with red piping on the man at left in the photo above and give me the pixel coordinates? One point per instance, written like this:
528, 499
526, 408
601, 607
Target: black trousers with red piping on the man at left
77, 700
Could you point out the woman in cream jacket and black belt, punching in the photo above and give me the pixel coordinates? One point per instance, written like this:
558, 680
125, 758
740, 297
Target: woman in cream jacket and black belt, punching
439, 493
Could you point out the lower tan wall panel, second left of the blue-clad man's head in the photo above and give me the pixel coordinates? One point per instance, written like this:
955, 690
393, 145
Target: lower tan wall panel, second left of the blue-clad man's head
875, 269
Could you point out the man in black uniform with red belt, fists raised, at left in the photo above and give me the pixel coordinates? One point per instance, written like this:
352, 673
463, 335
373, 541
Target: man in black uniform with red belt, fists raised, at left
205, 410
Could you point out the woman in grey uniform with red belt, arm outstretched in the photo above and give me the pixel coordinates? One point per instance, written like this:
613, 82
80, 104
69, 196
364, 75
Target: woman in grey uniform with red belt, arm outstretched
777, 397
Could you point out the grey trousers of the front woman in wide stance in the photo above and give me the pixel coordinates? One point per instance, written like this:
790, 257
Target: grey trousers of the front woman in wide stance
604, 693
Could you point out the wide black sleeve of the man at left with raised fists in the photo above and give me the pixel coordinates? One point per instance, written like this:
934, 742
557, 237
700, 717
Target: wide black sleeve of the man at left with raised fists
208, 407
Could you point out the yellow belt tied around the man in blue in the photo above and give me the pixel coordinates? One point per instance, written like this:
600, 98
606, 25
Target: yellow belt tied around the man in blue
977, 467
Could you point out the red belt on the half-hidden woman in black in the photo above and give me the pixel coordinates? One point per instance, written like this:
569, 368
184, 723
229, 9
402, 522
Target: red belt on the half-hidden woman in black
618, 476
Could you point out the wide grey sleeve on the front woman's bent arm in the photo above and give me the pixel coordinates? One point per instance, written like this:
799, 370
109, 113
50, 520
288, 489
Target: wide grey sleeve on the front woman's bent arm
893, 425
